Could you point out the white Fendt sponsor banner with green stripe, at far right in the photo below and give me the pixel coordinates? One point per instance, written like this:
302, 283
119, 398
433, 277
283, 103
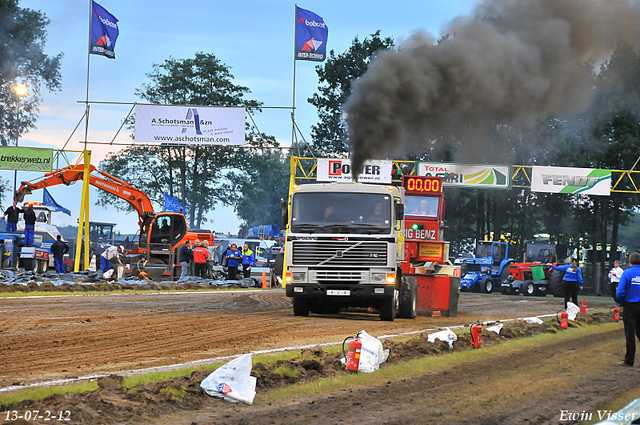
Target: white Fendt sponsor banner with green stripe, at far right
578, 181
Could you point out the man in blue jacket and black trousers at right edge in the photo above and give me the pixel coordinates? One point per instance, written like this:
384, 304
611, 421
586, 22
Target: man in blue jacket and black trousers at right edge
628, 296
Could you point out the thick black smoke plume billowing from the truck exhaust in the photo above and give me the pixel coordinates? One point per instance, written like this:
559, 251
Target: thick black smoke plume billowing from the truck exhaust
510, 62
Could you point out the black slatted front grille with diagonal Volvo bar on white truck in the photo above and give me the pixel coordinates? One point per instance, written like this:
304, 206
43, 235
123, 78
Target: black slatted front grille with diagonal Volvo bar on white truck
340, 253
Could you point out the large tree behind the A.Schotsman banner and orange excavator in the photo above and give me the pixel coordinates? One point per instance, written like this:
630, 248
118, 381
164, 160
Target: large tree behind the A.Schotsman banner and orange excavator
194, 175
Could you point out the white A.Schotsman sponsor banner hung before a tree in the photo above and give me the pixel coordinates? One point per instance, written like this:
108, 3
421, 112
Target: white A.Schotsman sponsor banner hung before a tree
202, 125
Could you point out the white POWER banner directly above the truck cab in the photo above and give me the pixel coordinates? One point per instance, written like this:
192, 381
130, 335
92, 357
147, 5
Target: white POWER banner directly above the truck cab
339, 170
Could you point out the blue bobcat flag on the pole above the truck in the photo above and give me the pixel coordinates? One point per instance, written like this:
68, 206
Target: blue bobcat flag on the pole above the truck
311, 36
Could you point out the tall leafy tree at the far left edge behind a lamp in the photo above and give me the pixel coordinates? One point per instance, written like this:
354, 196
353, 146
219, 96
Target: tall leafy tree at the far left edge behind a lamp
22, 61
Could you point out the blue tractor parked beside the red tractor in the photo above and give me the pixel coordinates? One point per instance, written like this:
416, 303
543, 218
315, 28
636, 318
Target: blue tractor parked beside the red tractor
485, 271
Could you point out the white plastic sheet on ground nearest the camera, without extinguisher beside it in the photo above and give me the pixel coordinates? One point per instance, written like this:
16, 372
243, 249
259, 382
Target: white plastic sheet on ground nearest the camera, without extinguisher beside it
232, 381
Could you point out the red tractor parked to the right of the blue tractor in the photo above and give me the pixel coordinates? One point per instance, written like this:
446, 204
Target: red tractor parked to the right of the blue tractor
533, 277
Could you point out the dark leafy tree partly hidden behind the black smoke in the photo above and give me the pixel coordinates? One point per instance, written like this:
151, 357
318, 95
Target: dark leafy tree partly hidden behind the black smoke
336, 76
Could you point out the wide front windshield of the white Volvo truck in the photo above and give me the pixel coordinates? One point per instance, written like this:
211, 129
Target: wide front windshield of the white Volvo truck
329, 212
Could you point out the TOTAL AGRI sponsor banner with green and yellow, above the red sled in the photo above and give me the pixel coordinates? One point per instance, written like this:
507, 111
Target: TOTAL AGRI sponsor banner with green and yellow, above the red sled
467, 175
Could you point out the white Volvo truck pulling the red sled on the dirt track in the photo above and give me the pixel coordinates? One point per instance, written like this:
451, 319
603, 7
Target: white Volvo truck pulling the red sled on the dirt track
344, 248
